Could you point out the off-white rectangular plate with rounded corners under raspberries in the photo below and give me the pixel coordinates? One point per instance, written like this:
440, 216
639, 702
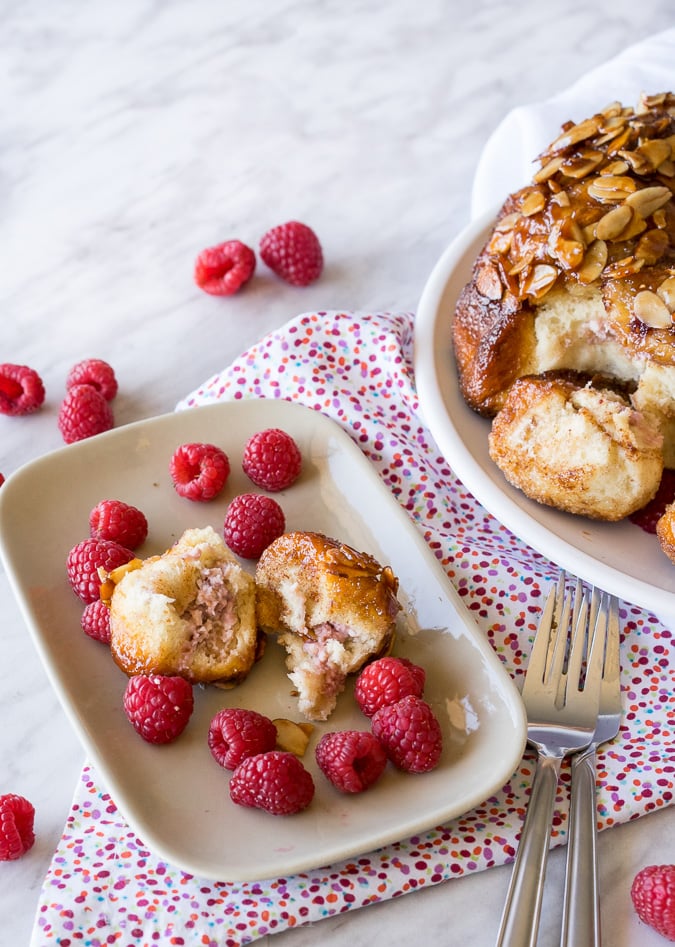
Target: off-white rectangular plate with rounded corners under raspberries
176, 797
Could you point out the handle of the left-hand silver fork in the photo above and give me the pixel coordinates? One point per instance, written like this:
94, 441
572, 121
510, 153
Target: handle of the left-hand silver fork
520, 918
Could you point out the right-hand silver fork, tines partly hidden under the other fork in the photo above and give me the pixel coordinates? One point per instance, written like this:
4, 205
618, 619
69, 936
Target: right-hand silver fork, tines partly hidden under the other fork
581, 905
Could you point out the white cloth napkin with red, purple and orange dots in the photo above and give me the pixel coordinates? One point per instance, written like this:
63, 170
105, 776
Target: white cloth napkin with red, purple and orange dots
104, 886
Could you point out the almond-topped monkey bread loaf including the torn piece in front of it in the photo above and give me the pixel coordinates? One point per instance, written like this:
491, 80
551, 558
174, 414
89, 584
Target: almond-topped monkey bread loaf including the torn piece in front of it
578, 274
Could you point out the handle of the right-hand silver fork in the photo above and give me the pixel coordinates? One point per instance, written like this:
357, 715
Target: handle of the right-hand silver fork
581, 905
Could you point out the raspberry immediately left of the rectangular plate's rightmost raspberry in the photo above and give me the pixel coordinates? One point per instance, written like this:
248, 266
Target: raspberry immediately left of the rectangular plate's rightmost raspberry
351, 759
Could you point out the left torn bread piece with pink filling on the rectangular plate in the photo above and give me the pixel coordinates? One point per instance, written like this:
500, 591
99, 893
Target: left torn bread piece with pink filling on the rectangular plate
188, 612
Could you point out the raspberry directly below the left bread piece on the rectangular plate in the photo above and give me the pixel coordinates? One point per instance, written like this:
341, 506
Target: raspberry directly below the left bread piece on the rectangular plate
158, 707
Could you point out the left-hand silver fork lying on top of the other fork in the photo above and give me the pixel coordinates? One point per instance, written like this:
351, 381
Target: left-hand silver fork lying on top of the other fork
561, 712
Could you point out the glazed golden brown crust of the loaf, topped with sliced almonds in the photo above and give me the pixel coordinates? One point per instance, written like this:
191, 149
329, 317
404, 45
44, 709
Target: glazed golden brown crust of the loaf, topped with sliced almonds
598, 218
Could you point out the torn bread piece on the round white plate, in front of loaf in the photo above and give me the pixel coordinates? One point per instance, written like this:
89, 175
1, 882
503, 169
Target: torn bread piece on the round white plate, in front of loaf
579, 448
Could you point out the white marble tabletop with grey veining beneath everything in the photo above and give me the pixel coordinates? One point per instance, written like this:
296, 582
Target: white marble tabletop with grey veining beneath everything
134, 134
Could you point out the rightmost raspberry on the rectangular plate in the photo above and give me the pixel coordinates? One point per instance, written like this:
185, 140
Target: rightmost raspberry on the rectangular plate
410, 734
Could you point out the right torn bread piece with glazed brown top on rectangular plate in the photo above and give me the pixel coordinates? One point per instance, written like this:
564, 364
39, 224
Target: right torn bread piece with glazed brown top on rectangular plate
333, 609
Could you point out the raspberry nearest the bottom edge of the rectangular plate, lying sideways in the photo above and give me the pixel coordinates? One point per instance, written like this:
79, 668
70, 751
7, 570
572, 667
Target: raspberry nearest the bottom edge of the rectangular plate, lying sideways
276, 782
